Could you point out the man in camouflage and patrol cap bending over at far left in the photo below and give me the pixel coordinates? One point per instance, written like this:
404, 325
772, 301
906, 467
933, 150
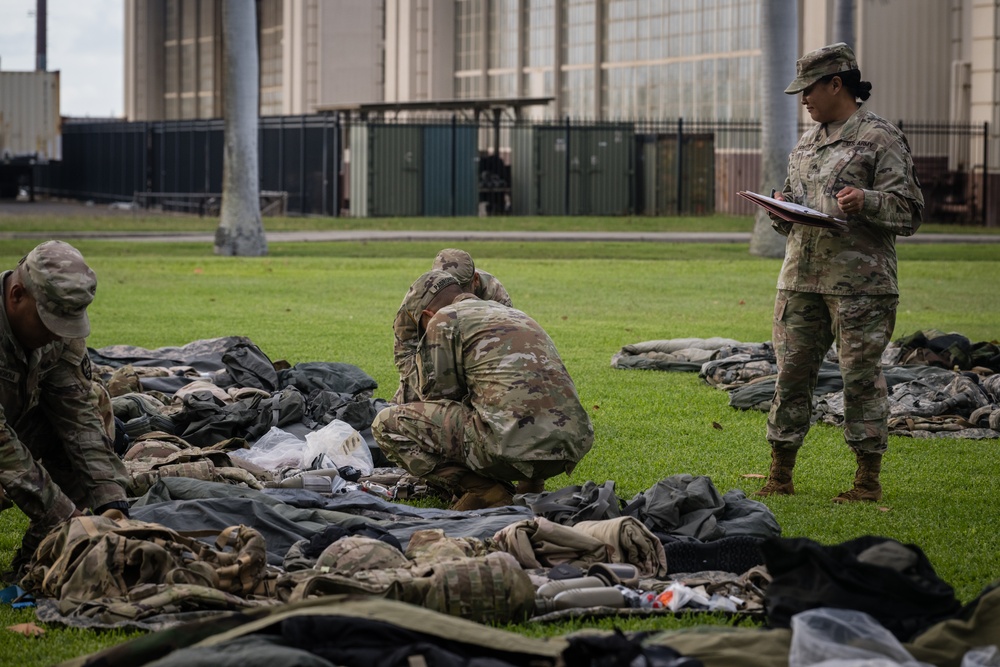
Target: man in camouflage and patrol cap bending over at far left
56, 422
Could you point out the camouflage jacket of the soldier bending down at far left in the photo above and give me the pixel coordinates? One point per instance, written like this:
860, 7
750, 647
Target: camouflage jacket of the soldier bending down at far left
53, 383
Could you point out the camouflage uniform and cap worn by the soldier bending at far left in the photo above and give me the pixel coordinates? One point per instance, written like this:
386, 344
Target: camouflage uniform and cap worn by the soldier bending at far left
56, 421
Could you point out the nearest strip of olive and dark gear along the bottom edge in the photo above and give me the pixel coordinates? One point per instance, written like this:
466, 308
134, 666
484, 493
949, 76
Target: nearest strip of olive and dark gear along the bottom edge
372, 630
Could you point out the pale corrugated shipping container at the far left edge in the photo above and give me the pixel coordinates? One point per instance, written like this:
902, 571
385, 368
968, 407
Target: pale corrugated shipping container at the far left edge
30, 123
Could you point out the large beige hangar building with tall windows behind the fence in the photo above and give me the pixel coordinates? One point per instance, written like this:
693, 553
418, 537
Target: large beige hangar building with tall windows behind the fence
929, 60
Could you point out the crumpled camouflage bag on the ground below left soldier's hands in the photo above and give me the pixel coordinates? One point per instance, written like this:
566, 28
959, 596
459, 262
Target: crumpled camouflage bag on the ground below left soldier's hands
95, 558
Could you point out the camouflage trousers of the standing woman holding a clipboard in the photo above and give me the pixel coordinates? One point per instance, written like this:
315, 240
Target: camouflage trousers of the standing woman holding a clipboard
805, 324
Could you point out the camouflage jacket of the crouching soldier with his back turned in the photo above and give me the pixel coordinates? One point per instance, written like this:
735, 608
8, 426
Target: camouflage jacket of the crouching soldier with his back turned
502, 363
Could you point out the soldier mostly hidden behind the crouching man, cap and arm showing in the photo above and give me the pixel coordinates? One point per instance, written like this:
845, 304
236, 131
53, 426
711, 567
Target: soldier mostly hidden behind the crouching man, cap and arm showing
475, 281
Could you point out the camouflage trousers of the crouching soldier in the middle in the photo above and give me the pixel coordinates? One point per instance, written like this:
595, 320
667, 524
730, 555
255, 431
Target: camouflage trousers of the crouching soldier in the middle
439, 440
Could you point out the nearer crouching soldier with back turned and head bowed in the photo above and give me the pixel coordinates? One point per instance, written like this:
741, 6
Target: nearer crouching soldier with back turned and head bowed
495, 402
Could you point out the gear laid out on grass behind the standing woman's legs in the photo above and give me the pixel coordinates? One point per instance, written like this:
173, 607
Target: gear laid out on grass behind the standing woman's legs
940, 384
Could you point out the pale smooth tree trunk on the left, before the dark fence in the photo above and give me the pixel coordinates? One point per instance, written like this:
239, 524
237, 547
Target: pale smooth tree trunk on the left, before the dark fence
240, 230
